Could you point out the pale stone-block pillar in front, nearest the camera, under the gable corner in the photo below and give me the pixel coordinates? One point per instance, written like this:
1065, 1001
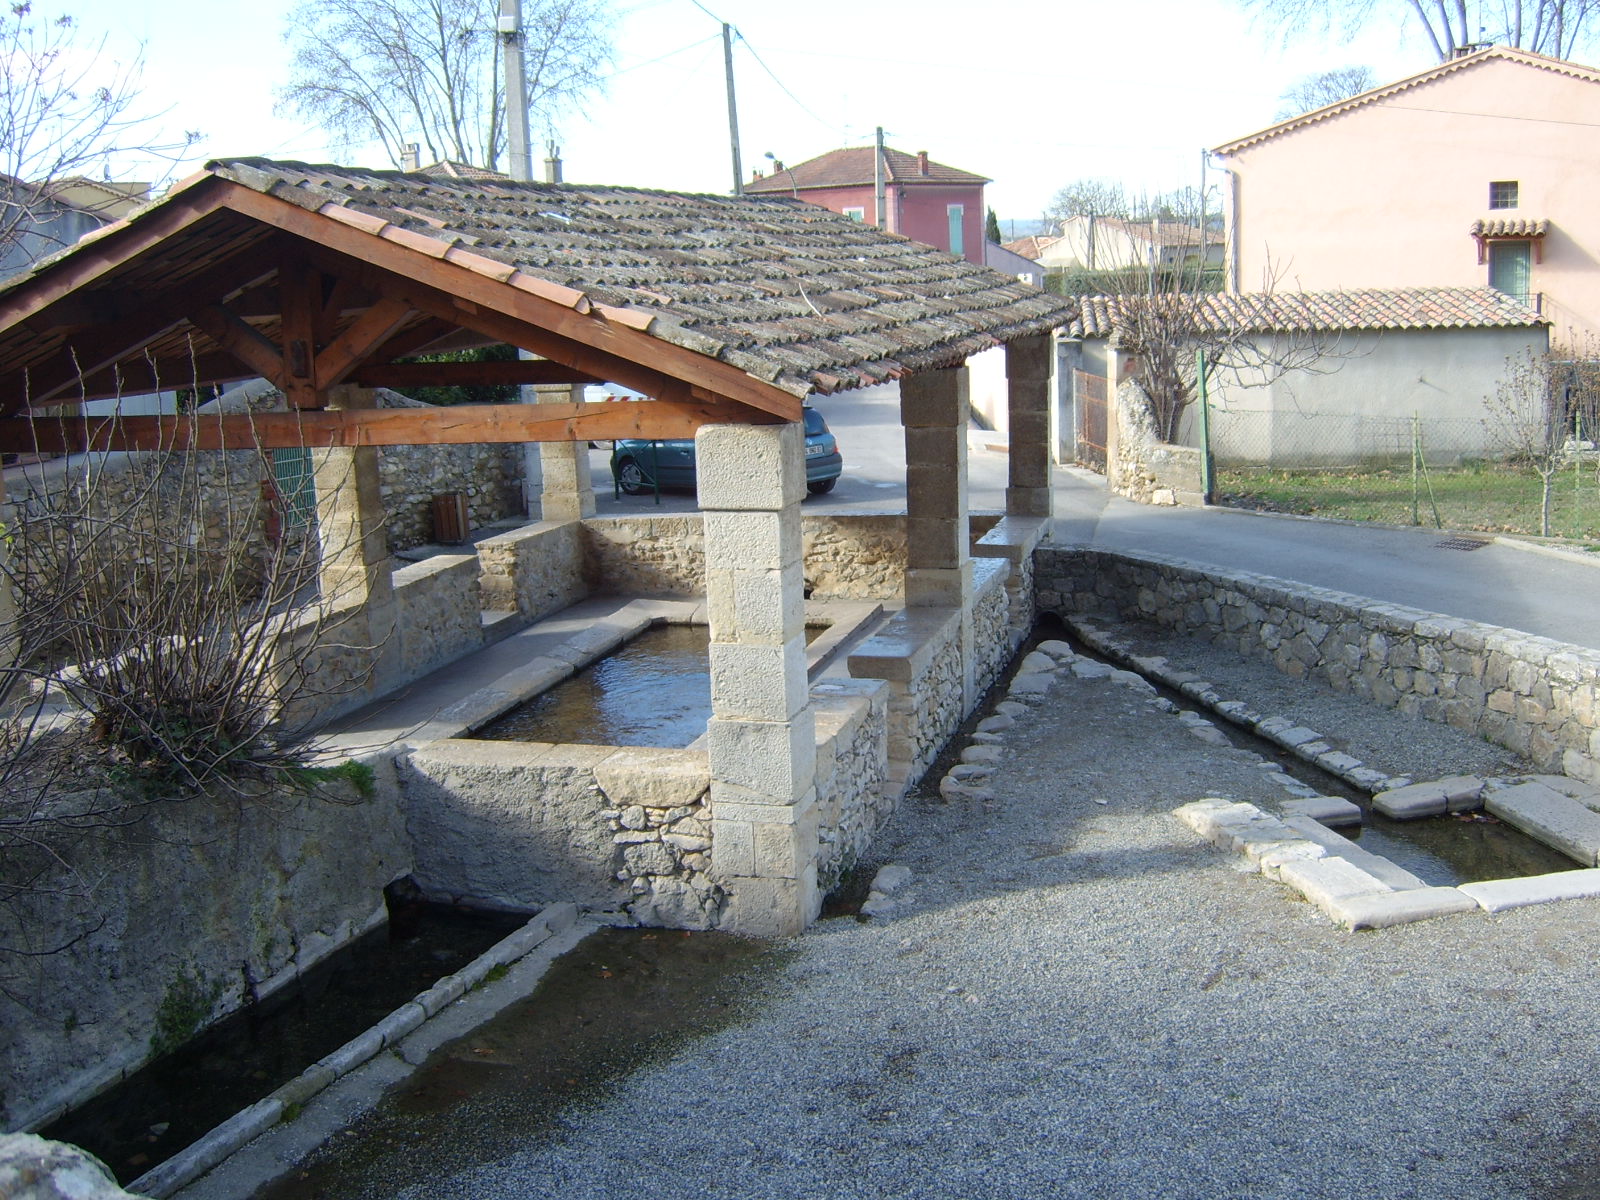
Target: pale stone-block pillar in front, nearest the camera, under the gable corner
761, 740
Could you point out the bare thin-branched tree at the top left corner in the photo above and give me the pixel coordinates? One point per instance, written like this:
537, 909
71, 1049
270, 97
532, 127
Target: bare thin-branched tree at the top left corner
68, 110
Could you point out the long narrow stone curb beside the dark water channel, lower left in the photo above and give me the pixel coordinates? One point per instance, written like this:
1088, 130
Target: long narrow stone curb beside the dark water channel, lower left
250, 1124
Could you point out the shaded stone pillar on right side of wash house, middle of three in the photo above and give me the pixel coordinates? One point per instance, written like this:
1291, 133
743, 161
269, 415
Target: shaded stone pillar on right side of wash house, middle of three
938, 556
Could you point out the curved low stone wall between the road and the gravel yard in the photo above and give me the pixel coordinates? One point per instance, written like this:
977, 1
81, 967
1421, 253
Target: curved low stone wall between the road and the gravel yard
1532, 695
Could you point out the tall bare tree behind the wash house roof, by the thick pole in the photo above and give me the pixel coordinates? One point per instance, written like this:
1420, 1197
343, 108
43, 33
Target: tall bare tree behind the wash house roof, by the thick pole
430, 71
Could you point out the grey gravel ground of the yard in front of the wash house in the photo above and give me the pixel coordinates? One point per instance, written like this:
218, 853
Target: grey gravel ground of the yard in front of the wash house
1078, 999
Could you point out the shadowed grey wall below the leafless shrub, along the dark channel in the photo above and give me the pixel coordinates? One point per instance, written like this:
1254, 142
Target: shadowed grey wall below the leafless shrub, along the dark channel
175, 921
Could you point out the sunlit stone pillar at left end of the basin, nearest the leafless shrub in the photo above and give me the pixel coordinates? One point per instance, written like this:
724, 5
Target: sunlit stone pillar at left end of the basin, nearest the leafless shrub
354, 567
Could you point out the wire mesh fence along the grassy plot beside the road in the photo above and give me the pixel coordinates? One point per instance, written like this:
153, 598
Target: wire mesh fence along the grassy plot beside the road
1442, 473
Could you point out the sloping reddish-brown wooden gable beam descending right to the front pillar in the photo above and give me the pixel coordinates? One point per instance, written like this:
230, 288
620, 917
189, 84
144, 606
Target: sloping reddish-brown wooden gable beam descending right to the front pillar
482, 295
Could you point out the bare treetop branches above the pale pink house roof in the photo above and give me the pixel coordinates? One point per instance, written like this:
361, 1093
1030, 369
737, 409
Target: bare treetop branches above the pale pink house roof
1556, 28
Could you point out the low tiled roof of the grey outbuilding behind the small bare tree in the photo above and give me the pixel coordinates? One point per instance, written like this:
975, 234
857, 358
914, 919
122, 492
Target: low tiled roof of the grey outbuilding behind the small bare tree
1332, 311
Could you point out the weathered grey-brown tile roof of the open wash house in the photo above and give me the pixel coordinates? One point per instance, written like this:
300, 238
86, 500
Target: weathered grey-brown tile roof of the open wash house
788, 292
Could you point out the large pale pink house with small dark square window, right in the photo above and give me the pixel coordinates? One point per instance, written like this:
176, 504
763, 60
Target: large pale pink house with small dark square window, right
1478, 172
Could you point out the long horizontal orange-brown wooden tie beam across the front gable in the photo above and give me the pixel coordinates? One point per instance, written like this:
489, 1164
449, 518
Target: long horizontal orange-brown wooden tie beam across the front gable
463, 425
